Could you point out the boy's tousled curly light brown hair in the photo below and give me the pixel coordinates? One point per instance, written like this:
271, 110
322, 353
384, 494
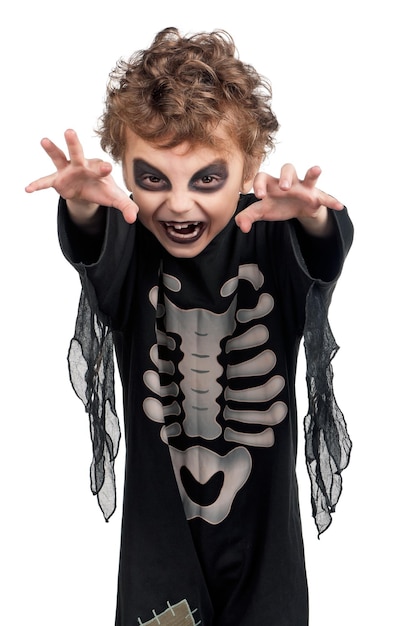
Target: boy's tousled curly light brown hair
180, 89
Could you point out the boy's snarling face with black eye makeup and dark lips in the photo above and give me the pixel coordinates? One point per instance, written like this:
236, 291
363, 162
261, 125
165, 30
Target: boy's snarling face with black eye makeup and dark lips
186, 196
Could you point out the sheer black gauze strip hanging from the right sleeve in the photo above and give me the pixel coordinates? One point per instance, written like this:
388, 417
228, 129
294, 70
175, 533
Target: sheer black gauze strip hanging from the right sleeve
328, 445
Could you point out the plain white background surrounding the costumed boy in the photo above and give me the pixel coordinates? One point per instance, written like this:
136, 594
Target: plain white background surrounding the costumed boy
343, 80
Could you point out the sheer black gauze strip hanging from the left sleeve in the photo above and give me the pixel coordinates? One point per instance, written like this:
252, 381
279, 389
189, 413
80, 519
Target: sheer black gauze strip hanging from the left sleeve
91, 370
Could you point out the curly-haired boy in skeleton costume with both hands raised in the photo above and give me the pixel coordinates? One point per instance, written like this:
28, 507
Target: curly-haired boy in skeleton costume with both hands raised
206, 290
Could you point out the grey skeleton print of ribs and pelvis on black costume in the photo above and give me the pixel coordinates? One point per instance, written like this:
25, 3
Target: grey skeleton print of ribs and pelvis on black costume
202, 335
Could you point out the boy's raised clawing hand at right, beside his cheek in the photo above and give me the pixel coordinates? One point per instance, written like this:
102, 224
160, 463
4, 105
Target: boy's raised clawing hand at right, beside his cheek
289, 197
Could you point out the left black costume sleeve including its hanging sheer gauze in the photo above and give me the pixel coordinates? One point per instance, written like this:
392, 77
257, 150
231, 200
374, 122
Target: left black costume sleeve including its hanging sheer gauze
102, 263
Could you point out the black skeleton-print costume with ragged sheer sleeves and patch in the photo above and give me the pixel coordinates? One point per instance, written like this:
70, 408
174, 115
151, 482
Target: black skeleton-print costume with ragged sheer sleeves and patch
207, 350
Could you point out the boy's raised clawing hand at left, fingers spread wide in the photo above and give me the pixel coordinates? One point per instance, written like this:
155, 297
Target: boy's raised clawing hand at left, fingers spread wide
84, 183
